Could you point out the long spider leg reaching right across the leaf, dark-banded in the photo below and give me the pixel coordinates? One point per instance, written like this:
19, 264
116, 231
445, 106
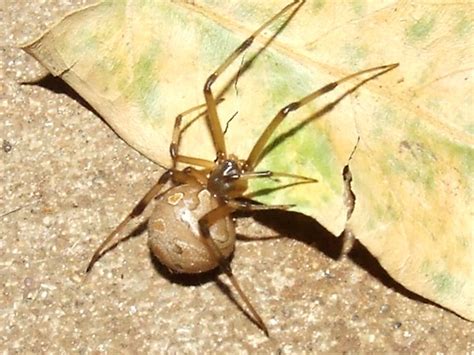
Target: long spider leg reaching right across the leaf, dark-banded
255, 154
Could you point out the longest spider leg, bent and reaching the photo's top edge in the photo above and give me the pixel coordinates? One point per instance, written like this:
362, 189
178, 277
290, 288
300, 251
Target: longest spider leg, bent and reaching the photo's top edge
213, 117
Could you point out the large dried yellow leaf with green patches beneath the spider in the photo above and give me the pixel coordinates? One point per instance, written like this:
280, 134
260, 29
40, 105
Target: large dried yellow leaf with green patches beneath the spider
407, 136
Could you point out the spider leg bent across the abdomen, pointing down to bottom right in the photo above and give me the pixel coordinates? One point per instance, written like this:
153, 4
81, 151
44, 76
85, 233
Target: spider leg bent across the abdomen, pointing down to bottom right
205, 223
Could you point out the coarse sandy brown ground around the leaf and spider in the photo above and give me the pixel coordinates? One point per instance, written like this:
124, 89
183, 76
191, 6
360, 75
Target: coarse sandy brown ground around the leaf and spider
67, 180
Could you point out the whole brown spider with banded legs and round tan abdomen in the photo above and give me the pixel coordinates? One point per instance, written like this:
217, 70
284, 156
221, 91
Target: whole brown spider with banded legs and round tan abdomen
190, 229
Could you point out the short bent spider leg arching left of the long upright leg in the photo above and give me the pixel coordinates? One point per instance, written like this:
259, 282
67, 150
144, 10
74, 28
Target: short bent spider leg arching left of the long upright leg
176, 138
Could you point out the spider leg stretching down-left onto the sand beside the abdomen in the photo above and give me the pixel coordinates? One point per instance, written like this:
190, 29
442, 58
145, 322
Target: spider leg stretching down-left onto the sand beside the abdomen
138, 209
